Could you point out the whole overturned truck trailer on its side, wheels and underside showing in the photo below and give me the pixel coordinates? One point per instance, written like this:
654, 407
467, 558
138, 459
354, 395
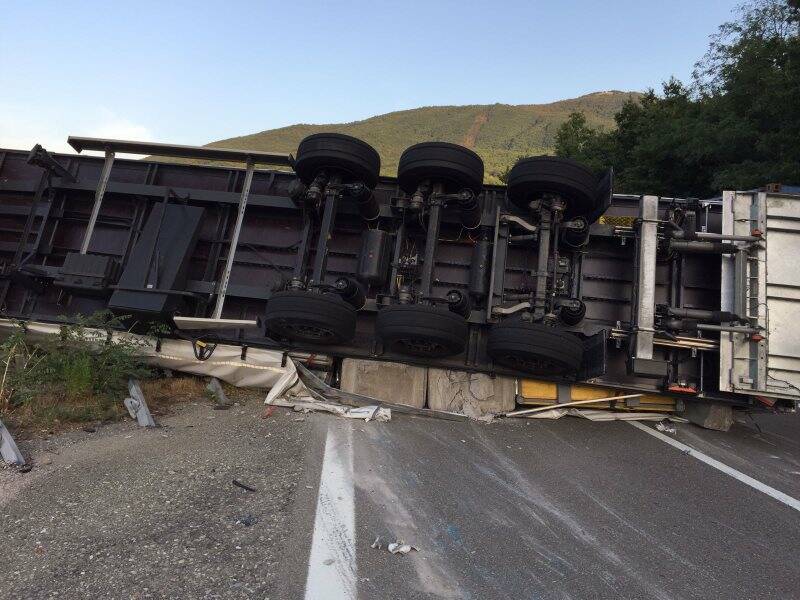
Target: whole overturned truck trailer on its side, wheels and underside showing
551, 276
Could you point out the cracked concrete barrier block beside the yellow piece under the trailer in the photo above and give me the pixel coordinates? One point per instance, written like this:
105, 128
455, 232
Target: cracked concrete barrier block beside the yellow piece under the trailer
472, 394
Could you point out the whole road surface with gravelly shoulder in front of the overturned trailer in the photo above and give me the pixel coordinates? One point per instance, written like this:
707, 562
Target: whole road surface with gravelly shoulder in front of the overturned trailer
517, 509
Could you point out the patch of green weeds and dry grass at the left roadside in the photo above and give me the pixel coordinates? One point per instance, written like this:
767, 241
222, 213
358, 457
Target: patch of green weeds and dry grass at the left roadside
75, 376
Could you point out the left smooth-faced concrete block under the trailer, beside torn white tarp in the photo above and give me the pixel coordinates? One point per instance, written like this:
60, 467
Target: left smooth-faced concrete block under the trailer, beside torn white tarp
390, 382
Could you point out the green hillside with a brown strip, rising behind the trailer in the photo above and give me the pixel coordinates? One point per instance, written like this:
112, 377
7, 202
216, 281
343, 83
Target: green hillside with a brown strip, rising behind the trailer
498, 132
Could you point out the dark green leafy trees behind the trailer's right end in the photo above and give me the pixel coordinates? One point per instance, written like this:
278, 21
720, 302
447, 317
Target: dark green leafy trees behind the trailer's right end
736, 126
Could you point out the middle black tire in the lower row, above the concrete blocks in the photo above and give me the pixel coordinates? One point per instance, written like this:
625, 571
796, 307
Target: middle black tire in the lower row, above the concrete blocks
421, 330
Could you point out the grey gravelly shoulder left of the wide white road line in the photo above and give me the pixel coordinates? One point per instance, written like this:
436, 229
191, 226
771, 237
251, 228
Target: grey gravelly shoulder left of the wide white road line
125, 512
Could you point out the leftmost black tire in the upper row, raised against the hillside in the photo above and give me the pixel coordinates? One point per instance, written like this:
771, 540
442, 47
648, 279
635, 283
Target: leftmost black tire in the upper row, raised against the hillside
353, 159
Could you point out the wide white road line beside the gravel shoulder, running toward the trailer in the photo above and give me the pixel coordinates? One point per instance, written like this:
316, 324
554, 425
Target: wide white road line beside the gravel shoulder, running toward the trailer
332, 563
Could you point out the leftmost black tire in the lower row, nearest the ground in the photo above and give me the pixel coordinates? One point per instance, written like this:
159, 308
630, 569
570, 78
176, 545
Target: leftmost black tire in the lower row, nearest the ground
310, 318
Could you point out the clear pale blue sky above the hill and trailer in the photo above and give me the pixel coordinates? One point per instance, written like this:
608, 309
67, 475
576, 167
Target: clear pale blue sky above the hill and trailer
195, 71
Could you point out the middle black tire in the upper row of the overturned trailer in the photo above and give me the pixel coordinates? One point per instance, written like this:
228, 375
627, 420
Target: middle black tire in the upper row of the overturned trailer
453, 165
